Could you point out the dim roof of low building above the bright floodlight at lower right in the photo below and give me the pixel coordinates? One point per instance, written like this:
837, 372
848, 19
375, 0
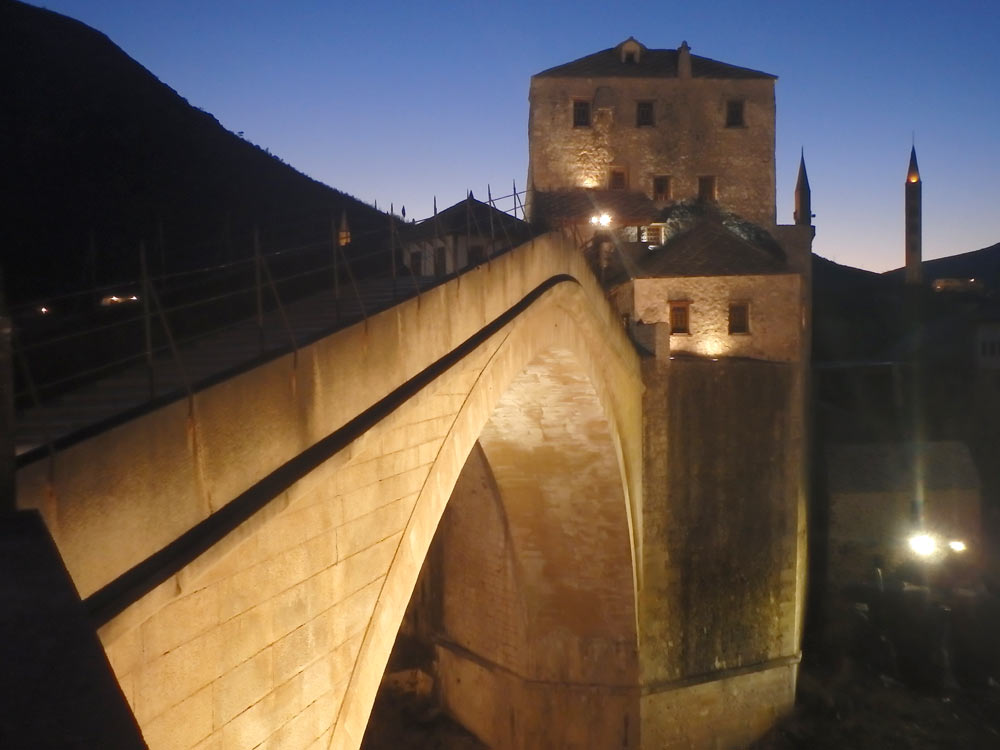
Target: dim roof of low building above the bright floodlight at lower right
888, 467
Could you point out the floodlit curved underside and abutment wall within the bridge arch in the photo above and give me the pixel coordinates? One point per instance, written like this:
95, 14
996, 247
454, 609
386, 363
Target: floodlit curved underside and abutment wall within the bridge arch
526, 596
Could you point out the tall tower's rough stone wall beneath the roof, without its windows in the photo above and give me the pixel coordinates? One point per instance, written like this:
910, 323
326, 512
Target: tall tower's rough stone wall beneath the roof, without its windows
689, 138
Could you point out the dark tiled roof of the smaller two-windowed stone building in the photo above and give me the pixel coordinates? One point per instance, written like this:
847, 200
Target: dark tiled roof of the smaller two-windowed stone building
709, 249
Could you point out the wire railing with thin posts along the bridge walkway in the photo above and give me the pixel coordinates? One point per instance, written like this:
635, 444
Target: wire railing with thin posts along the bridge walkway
153, 322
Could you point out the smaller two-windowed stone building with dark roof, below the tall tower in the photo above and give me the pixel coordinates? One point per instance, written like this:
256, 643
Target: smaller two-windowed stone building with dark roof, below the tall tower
719, 287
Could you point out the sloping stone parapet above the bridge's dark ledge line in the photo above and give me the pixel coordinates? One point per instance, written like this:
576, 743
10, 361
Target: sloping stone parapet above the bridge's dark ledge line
120, 496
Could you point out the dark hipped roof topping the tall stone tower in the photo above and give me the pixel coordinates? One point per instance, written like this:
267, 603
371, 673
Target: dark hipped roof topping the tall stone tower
653, 63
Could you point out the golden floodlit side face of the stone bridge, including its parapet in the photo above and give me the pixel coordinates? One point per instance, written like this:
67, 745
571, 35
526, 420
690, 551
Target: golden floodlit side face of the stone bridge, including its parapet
255, 636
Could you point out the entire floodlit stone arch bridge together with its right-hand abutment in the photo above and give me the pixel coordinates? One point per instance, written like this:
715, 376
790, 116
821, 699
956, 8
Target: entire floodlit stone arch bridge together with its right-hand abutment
249, 552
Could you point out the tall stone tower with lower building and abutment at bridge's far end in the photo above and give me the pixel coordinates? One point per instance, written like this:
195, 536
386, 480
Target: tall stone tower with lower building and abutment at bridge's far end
661, 165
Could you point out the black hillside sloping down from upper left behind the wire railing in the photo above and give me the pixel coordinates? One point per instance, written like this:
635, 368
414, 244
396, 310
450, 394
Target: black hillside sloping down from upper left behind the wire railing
98, 154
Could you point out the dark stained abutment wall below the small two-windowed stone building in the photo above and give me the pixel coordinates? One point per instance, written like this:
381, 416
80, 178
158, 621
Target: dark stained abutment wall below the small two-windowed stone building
721, 549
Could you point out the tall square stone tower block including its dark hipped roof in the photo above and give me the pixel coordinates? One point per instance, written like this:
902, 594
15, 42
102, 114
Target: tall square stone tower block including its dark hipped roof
663, 123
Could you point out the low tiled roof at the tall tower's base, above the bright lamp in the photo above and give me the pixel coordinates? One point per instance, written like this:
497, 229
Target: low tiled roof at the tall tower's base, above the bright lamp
557, 207
